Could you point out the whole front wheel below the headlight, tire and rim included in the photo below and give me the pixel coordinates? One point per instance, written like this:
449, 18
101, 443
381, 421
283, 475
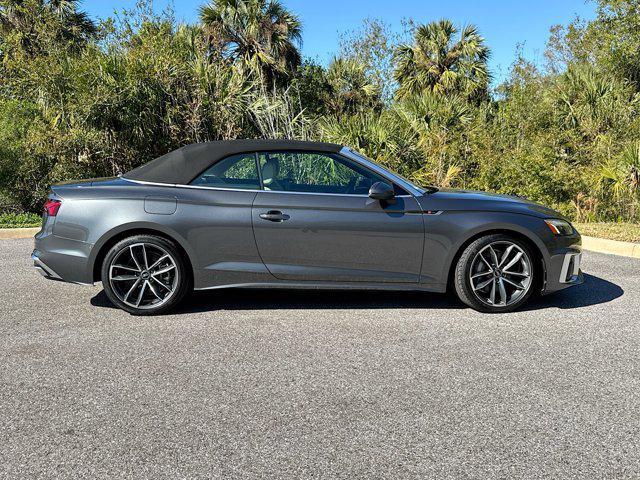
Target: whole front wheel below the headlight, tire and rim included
495, 273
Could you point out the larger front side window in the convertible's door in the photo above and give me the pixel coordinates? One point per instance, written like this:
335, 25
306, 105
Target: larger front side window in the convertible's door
314, 173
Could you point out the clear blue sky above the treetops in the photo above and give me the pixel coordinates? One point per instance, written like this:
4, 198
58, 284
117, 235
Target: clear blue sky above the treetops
505, 24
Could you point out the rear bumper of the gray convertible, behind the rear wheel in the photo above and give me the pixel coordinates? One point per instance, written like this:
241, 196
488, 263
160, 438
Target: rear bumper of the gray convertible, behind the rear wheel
58, 258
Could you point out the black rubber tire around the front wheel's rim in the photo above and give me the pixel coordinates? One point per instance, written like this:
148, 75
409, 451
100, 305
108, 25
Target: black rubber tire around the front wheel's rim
463, 271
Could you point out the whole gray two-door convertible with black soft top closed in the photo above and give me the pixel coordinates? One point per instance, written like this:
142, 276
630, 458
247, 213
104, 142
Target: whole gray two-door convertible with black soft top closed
271, 213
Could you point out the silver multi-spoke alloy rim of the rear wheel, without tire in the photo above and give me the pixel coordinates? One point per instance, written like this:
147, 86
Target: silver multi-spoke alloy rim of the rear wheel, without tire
143, 275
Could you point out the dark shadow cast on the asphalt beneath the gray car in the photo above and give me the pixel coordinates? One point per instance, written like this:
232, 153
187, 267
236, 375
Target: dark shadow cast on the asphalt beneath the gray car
595, 290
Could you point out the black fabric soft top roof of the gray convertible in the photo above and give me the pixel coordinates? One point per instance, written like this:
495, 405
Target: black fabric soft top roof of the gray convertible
186, 163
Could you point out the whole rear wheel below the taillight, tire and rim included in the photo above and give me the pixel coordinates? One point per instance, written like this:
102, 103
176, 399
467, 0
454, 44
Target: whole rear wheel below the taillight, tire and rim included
145, 275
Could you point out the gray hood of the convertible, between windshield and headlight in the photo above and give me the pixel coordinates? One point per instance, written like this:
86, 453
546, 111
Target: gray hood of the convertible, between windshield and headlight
469, 200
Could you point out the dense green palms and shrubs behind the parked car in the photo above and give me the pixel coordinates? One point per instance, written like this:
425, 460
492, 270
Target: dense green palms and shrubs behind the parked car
85, 99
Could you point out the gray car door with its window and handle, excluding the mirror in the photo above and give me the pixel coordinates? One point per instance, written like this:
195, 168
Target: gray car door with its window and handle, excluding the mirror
314, 221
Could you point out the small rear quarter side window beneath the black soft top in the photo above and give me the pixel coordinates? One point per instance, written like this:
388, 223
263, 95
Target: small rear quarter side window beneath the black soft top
236, 171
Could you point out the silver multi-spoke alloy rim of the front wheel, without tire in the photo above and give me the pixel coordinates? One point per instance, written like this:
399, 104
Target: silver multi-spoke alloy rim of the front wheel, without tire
500, 274
